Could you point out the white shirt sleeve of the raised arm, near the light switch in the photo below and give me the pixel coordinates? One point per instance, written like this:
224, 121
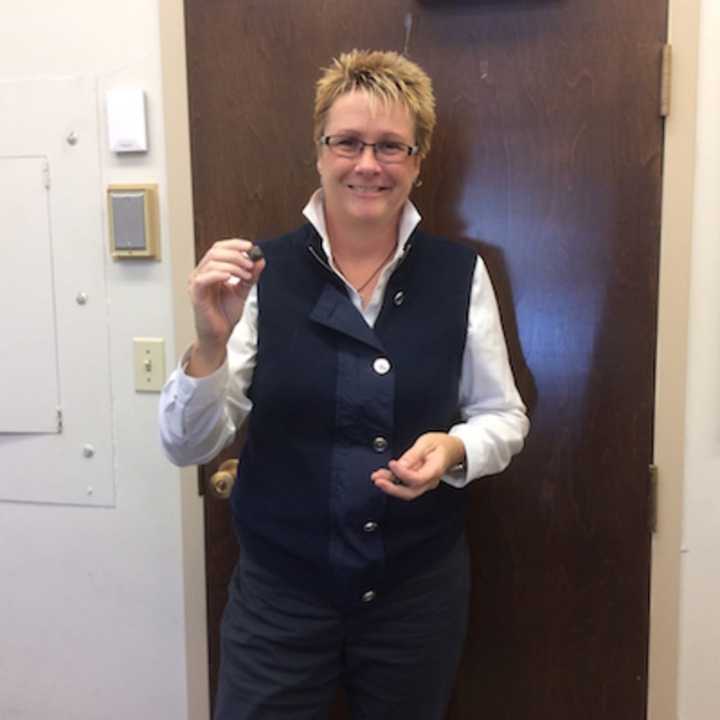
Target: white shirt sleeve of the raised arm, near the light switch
200, 416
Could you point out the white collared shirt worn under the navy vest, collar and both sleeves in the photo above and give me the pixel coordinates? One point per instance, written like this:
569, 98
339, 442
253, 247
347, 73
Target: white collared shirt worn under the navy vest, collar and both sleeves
199, 416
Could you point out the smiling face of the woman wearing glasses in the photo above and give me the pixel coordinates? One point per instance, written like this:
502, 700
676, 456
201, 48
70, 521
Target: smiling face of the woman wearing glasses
362, 190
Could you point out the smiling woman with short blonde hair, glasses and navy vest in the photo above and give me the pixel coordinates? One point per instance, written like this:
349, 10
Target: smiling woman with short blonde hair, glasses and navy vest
371, 362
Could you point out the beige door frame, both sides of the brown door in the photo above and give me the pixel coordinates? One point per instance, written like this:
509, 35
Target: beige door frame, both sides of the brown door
671, 367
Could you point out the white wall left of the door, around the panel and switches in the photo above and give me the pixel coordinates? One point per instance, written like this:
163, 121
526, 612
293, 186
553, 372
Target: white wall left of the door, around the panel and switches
93, 617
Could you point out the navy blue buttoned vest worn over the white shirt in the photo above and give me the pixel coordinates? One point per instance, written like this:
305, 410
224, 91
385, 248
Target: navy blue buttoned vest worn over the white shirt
326, 414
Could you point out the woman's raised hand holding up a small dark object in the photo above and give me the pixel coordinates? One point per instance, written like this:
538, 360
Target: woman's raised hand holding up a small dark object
218, 301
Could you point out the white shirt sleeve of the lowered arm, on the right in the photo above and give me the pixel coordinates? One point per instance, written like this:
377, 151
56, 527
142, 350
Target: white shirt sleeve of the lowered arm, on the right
495, 423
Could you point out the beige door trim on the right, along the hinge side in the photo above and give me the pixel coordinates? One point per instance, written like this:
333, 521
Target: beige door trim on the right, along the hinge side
671, 363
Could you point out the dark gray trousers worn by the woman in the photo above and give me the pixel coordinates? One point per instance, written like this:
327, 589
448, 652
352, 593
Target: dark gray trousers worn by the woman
284, 652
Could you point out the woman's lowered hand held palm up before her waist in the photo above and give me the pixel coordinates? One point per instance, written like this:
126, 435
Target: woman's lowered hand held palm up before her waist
421, 467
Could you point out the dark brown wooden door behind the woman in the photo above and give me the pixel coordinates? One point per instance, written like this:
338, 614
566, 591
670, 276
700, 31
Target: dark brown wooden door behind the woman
547, 157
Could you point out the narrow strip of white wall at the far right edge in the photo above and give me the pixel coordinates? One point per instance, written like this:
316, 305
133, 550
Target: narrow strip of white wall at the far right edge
699, 669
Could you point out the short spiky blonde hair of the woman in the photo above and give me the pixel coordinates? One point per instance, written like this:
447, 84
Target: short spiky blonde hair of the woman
387, 76
